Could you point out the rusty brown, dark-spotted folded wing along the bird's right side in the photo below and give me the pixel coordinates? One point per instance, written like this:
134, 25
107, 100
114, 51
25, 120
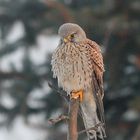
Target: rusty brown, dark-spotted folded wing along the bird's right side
97, 78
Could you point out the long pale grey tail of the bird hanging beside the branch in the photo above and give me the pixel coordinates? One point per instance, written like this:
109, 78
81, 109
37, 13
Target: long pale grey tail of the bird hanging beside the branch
90, 118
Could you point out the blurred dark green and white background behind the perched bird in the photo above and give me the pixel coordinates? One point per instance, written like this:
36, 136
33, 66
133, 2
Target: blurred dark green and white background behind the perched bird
28, 36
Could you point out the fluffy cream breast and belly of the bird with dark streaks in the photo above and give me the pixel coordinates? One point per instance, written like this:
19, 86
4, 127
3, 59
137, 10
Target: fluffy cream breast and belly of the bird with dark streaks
72, 67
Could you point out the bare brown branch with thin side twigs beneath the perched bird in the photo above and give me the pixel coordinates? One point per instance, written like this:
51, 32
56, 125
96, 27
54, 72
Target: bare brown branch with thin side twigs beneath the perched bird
73, 113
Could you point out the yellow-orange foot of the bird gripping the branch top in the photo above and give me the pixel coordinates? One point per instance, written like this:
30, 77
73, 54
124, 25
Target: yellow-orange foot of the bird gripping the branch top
77, 94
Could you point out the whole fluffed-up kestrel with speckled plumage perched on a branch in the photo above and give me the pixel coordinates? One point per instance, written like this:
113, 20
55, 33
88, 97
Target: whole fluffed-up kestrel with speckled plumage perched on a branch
77, 63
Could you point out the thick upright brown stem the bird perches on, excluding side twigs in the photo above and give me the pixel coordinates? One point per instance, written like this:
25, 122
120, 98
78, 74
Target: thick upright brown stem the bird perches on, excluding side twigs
72, 124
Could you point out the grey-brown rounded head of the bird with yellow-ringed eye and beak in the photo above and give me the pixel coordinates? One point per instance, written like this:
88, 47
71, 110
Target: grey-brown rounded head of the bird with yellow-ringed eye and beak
70, 32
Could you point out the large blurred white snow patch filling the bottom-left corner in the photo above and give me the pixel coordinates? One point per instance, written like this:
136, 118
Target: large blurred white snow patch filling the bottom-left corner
21, 131
